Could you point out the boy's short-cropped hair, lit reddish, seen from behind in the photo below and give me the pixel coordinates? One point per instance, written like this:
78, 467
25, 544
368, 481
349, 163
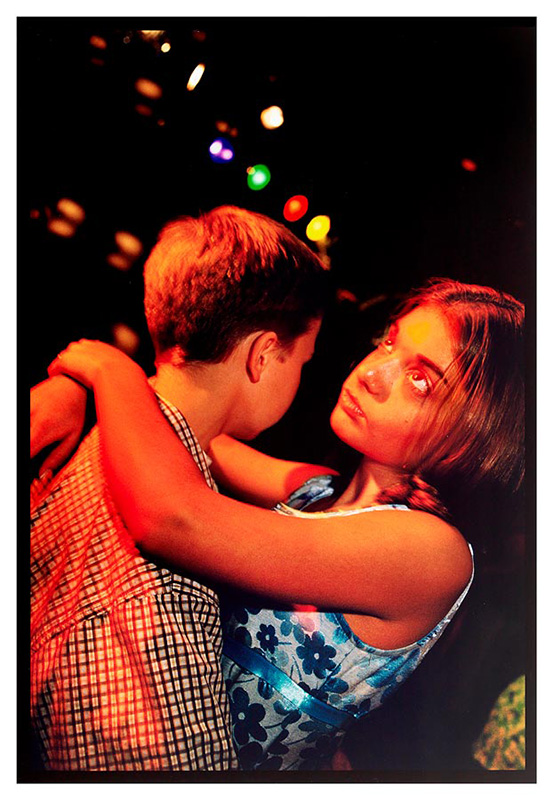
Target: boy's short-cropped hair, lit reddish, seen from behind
212, 280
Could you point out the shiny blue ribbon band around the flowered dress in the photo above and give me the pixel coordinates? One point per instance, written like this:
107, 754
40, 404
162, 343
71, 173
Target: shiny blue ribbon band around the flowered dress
255, 663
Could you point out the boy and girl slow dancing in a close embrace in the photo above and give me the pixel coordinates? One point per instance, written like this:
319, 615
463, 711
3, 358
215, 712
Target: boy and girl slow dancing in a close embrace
335, 589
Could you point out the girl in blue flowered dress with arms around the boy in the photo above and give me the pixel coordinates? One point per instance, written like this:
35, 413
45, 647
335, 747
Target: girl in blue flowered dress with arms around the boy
357, 583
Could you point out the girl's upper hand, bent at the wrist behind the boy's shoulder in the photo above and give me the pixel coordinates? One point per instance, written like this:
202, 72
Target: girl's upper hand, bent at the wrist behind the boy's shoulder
89, 360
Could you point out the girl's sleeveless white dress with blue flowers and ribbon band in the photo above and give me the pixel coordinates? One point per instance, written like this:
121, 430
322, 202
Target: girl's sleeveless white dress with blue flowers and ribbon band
297, 679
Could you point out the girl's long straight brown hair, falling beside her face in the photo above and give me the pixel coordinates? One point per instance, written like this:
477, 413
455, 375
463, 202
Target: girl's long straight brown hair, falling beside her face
475, 431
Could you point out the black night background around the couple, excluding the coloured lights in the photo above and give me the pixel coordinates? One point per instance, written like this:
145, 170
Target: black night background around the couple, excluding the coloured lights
378, 116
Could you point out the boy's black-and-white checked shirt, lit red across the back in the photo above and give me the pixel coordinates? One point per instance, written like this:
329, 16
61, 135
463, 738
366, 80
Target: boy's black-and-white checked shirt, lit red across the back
125, 653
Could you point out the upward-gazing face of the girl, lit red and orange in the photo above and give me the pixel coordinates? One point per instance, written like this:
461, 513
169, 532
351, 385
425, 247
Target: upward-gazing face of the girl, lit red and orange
379, 411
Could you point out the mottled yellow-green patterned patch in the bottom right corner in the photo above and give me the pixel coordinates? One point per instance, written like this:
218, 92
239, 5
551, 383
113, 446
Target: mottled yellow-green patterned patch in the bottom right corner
501, 744
